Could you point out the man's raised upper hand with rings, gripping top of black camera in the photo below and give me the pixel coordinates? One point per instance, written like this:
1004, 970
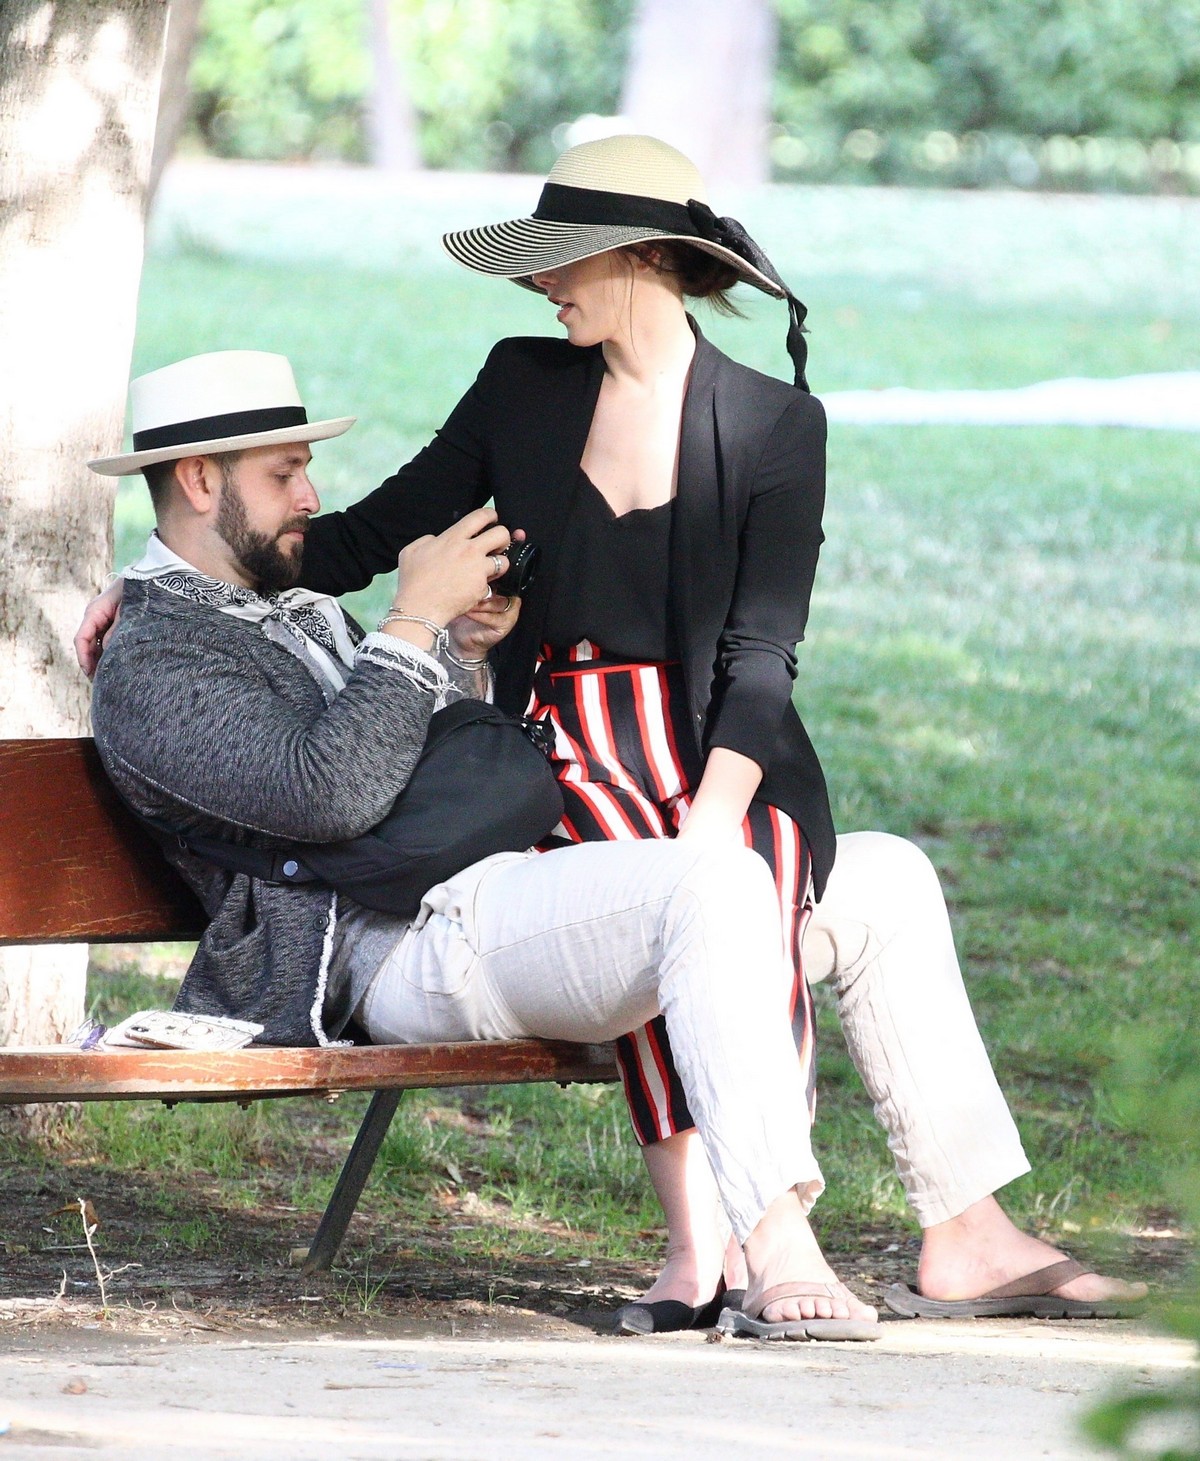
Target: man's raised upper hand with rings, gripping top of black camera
445, 578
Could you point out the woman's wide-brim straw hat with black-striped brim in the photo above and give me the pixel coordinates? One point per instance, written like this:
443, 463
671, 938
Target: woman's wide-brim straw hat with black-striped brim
606, 195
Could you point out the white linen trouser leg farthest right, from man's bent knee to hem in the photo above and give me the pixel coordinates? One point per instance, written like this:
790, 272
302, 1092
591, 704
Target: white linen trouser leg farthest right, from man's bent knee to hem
882, 936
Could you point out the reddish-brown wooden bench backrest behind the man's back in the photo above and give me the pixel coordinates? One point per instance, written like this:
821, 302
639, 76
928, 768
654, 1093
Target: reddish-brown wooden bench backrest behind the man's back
75, 864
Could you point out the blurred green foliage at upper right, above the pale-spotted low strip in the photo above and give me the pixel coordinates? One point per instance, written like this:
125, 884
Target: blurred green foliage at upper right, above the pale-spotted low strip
1128, 68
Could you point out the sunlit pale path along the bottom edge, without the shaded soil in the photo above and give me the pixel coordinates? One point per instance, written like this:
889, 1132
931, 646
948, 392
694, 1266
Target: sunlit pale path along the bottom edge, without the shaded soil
461, 1383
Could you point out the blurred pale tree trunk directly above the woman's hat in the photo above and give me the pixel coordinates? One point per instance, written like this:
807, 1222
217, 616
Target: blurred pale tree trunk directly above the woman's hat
715, 107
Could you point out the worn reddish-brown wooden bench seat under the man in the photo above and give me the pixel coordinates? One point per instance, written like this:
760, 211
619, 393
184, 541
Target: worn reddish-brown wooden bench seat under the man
59, 1073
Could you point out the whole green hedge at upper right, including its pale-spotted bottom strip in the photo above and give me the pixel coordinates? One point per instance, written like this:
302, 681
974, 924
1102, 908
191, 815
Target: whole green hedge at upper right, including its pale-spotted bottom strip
1071, 94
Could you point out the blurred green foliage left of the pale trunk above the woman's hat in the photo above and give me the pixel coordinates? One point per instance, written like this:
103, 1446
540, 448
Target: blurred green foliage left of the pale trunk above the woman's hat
490, 80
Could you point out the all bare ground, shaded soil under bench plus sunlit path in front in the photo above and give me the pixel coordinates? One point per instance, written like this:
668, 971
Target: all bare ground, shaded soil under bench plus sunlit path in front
409, 1351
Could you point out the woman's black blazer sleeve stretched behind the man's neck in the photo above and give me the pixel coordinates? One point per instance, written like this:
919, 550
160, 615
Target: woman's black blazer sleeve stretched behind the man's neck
344, 552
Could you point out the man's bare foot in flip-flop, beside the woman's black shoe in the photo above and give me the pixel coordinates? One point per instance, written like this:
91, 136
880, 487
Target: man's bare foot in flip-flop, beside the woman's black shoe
783, 1253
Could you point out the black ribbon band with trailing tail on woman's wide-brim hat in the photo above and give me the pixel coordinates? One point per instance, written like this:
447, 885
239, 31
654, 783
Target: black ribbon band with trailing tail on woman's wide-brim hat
694, 220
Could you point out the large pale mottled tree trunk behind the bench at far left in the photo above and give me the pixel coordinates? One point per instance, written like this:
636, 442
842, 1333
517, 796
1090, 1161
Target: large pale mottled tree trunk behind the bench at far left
78, 91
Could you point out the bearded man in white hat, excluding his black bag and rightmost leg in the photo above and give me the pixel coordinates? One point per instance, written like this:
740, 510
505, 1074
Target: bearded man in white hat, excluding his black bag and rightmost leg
230, 705
